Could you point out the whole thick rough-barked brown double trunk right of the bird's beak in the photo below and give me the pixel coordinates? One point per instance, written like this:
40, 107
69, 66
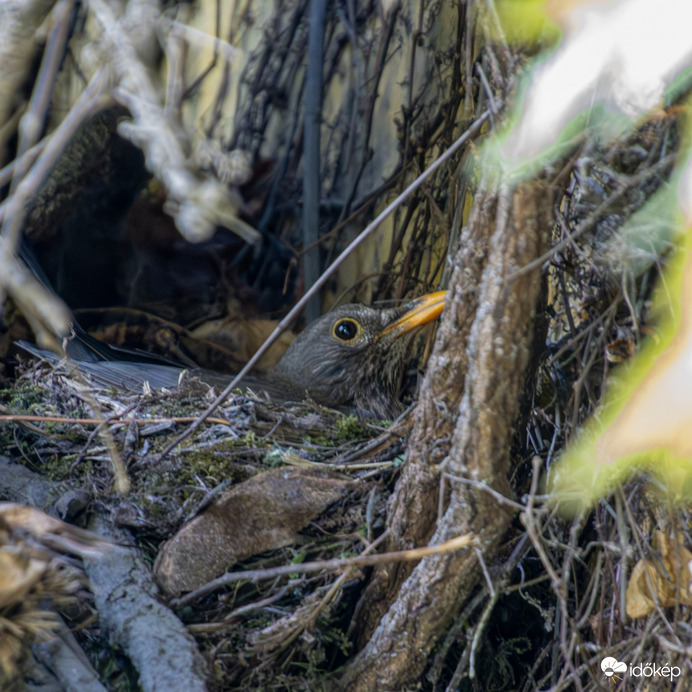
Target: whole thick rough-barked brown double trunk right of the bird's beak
463, 428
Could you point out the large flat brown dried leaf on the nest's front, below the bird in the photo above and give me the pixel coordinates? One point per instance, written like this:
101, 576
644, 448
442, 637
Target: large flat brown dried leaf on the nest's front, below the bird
261, 514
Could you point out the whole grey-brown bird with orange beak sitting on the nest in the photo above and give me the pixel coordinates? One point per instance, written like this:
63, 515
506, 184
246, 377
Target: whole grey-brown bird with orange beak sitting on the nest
350, 359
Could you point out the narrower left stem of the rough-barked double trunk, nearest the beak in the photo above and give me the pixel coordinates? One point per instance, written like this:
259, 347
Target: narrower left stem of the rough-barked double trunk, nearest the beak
414, 504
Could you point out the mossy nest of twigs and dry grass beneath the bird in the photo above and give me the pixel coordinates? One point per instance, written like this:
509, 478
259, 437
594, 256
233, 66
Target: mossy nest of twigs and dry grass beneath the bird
250, 628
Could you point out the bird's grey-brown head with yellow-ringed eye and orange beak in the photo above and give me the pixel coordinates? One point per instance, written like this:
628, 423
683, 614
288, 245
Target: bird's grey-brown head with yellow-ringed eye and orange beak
352, 356
